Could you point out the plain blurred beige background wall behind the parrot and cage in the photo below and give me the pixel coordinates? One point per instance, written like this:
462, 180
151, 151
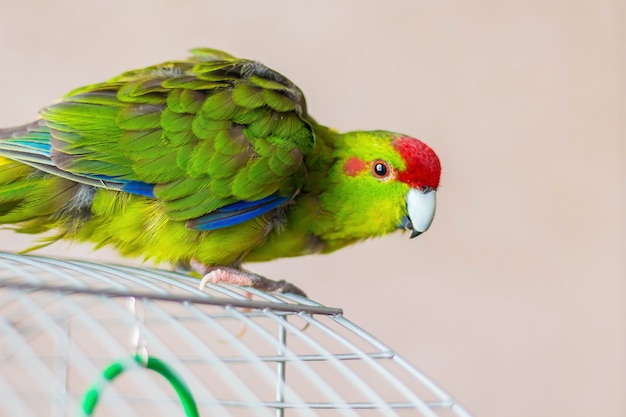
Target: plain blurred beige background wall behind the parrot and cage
514, 300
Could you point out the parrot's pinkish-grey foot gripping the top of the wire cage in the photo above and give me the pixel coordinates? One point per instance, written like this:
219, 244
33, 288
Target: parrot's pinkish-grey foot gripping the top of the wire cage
217, 274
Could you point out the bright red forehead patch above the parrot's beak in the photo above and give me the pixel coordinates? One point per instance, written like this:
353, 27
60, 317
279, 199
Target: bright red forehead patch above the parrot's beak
423, 168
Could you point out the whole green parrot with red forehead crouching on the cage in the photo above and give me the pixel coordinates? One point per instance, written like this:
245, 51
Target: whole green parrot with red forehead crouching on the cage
207, 163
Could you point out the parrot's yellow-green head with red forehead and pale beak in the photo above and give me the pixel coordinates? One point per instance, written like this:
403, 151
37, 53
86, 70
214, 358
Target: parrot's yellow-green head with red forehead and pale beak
388, 182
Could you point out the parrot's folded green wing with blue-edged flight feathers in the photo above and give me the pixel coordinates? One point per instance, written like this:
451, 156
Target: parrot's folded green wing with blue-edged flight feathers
218, 140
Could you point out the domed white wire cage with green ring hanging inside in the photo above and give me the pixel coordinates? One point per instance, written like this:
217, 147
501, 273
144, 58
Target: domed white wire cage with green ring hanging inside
80, 338
